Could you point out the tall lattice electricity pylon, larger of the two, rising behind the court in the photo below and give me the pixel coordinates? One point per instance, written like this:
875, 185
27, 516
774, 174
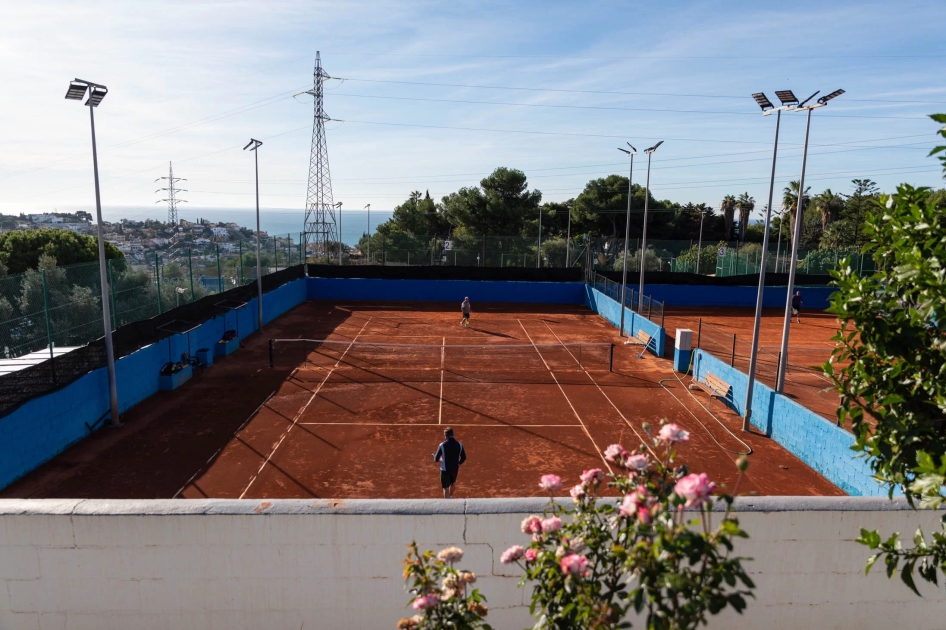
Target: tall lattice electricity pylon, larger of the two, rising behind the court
320, 224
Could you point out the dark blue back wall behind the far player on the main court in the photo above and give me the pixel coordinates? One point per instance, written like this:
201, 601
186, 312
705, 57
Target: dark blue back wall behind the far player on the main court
446, 290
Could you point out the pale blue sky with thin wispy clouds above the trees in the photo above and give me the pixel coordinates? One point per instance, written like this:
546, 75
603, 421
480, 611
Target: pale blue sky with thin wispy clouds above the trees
436, 95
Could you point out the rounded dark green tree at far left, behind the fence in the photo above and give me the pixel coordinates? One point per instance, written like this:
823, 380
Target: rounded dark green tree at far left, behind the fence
20, 250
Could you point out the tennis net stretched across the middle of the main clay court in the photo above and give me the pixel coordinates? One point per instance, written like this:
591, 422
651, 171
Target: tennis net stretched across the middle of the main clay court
488, 357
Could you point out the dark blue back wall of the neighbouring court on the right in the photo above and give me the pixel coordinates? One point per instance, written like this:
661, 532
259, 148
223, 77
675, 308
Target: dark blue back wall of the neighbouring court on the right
699, 295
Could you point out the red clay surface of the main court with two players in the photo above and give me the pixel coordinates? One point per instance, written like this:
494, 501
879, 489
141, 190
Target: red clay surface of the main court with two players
342, 422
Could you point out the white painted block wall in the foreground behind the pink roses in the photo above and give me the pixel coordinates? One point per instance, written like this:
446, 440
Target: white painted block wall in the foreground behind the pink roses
295, 564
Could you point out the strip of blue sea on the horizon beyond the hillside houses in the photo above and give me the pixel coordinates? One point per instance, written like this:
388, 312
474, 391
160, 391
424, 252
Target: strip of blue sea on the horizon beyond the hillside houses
354, 222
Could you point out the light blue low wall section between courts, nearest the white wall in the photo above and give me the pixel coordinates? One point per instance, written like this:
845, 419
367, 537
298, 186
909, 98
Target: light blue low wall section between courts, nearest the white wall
816, 441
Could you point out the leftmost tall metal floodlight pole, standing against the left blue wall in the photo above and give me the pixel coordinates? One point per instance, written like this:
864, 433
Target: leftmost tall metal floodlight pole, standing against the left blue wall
76, 92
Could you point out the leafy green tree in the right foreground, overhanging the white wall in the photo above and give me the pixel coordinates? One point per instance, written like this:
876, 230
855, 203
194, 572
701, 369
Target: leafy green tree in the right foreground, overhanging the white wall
892, 379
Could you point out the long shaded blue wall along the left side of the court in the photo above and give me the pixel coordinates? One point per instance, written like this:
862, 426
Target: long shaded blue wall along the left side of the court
42, 428
